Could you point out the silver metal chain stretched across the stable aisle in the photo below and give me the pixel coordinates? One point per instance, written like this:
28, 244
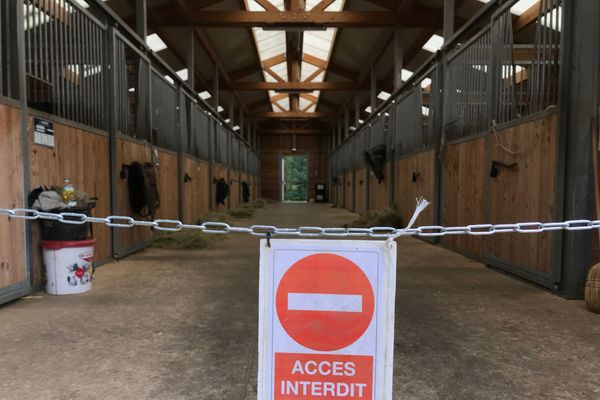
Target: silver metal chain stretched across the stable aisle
173, 225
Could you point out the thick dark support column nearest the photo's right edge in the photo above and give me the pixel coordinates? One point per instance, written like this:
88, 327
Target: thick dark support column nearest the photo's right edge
578, 102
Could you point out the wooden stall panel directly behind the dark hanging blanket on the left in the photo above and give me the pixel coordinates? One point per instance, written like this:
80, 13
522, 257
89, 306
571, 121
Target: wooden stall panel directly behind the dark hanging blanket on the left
128, 151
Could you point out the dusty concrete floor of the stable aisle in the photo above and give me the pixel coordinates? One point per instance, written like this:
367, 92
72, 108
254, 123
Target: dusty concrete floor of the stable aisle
183, 325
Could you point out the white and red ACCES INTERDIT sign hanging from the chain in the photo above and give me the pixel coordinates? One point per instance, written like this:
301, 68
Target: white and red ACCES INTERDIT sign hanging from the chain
326, 319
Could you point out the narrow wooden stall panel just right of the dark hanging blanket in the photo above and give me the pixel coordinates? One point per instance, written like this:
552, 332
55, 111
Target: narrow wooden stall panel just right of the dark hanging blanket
168, 185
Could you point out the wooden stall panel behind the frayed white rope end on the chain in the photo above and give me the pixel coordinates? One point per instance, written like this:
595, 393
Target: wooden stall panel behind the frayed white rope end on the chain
423, 166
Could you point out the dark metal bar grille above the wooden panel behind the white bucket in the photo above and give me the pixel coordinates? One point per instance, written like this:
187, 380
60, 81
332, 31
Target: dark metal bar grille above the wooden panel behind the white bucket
64, 61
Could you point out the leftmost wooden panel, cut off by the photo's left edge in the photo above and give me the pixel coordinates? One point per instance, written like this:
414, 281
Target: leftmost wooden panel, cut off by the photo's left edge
12, 245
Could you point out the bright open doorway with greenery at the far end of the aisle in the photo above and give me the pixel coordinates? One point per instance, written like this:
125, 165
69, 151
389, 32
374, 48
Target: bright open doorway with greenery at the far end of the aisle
294, 172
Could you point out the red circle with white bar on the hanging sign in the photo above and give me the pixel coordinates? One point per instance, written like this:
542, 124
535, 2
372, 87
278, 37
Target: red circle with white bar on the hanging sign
331, 303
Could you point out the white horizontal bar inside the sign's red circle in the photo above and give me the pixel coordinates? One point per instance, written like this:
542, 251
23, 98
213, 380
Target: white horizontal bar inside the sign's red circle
324, 302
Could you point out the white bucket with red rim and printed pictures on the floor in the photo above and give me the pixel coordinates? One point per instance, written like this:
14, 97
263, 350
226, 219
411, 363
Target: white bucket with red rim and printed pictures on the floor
69, 266
